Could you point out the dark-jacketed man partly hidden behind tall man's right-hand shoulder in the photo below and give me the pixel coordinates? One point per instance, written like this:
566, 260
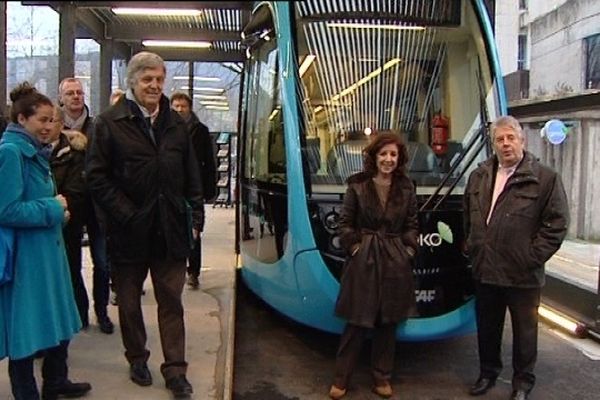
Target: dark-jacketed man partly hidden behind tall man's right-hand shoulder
203, 147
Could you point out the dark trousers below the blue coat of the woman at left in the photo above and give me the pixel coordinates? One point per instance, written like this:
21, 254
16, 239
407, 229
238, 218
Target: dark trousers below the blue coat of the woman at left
54, 372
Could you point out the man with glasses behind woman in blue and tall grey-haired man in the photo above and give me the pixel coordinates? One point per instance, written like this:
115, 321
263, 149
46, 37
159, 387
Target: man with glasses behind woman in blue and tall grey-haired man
77, 117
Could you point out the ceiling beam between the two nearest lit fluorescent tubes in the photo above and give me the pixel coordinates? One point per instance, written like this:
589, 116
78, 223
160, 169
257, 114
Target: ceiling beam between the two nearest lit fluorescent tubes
141, 31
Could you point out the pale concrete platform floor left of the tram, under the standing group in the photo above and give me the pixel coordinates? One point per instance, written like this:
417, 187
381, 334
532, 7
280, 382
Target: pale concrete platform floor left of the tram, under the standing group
98, 358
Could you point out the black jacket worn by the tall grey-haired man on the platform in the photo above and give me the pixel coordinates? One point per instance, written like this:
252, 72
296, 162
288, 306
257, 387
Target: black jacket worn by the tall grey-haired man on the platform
146, 191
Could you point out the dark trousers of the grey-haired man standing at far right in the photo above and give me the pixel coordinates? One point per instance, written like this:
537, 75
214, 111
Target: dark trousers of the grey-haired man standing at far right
522, 303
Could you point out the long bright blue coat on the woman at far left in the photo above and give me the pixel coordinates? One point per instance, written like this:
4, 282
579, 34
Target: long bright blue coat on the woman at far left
37, 309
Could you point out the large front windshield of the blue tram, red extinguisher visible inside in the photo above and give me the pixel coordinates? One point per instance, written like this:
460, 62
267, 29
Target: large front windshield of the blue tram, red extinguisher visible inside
418, 68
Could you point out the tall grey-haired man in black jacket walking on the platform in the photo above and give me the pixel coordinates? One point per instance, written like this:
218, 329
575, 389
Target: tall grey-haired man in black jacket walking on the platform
143, 174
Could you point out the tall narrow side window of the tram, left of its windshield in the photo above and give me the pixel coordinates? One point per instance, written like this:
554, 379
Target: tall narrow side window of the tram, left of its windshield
263, 192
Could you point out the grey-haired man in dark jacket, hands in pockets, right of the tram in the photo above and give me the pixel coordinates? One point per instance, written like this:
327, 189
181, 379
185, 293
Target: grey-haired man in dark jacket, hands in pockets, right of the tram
516, 217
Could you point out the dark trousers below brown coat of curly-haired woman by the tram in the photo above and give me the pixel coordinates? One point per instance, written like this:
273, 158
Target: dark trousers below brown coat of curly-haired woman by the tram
382, 353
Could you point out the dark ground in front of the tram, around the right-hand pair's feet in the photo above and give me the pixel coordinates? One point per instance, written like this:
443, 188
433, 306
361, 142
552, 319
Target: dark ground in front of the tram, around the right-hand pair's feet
278, 359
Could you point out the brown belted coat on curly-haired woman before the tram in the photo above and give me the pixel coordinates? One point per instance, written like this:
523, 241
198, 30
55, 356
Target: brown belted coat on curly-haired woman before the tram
377, 282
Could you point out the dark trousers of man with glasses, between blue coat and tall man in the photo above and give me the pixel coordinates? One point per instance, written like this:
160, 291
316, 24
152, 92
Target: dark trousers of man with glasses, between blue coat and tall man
101, 274
